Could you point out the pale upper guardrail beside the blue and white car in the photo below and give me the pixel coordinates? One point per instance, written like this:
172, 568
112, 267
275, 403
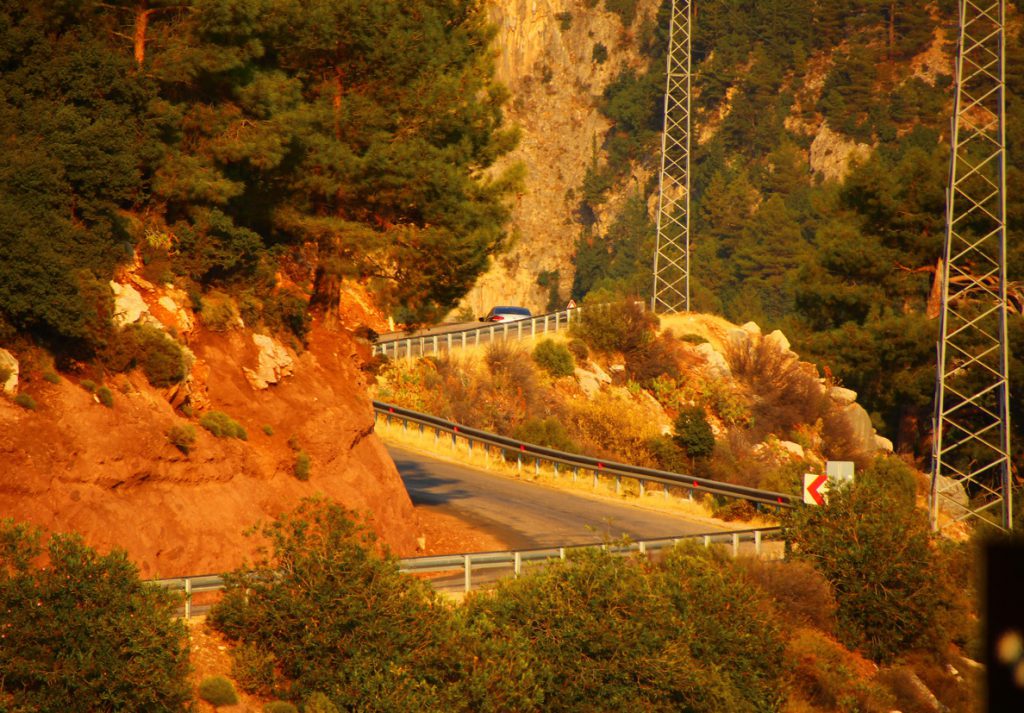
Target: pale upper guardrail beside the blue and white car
419, 346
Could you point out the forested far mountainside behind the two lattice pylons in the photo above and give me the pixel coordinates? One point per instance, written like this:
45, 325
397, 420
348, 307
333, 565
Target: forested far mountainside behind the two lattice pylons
820, 163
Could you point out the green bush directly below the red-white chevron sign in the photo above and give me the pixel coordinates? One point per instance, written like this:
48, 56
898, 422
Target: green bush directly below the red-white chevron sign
873, 544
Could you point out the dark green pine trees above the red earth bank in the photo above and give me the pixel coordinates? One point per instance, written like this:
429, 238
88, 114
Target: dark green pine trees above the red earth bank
273, 149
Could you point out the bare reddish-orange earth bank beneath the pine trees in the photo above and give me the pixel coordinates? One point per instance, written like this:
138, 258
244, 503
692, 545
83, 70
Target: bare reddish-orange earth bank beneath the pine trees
112, 474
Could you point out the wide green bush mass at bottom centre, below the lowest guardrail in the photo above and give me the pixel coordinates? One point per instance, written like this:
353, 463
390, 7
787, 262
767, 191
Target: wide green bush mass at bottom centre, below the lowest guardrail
607, 634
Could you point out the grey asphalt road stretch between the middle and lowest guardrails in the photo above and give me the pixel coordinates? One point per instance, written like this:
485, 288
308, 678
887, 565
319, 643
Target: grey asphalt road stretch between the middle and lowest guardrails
528, 515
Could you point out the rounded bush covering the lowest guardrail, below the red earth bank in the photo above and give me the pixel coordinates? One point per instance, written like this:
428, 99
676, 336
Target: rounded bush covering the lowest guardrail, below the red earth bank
336, 617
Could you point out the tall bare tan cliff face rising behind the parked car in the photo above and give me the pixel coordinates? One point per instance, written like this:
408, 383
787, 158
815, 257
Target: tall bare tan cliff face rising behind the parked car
546, 58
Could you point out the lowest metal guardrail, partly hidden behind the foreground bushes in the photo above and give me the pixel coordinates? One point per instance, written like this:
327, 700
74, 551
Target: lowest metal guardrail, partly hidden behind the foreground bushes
510, 563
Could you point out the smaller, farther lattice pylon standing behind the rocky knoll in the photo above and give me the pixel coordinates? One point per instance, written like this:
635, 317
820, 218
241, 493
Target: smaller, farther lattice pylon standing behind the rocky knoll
672, 250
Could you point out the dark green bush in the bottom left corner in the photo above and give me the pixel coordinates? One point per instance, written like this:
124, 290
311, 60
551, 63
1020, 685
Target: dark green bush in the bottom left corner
90, 635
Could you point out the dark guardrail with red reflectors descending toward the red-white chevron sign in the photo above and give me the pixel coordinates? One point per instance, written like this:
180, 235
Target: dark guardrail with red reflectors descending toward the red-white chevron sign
577, 464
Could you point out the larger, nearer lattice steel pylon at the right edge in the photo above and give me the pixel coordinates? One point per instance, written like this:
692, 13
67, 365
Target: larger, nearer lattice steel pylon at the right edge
971, 451
